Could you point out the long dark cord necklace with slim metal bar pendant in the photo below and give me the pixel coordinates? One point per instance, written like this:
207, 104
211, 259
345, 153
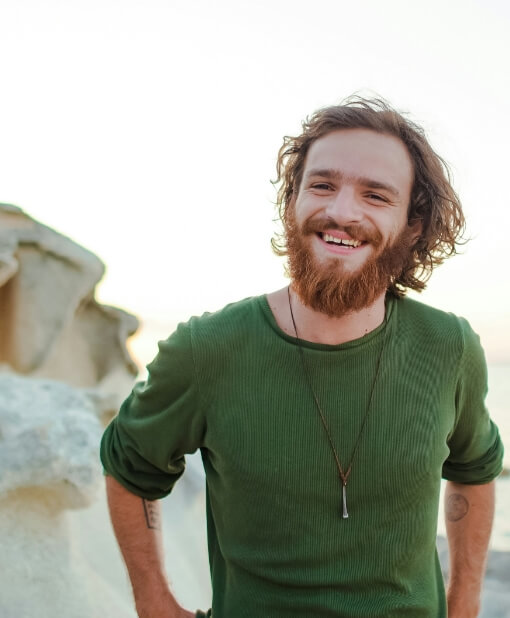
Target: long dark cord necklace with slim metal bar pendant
344, 476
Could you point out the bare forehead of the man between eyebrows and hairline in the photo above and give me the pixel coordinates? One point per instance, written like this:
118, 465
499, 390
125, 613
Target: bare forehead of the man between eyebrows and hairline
363, 153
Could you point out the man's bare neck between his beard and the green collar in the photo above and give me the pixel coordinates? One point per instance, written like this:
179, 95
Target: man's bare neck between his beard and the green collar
320, 328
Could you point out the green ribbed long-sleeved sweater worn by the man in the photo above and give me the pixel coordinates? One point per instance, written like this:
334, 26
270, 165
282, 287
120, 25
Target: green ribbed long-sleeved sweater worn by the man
232, 384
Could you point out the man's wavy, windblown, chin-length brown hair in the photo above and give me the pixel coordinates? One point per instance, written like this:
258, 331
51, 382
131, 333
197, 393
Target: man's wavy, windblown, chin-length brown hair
433, 199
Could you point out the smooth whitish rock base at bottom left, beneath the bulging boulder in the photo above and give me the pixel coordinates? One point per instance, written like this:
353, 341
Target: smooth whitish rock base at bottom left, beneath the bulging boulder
42, 570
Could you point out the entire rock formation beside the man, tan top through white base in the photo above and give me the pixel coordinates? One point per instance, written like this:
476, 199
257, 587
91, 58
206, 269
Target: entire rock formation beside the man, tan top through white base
64, 368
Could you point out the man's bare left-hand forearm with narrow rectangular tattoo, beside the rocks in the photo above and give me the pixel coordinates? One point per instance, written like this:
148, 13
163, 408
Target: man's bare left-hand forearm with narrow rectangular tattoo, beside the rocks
137, 526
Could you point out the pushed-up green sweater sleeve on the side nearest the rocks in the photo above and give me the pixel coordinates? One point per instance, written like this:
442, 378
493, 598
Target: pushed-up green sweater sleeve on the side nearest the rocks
161, 420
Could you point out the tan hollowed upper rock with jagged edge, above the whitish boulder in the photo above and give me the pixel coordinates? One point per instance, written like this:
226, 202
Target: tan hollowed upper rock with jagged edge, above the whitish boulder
51, 326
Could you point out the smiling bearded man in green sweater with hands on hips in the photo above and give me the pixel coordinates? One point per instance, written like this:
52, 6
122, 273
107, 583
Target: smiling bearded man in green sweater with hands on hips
326, 412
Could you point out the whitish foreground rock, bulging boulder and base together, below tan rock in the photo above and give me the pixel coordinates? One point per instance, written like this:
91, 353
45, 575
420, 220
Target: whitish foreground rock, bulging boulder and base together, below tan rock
49, 436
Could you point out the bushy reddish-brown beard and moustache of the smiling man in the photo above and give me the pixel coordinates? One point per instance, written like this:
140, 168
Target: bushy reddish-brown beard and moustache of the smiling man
326, 286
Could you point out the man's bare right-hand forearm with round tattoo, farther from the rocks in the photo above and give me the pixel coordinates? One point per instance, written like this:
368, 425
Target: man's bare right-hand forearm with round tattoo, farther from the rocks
469, 512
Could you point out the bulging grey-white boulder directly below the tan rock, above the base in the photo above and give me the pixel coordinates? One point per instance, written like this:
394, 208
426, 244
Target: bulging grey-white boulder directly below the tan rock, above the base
49, 436
